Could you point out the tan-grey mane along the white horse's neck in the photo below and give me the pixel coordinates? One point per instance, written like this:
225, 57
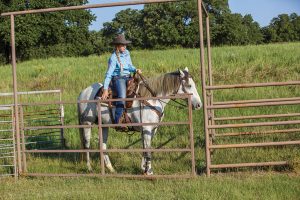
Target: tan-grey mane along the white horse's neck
163, 84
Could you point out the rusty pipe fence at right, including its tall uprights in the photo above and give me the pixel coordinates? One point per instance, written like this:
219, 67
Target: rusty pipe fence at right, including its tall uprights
212, 123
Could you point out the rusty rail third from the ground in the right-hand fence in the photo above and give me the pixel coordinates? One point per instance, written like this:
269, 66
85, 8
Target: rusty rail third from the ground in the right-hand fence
253, 124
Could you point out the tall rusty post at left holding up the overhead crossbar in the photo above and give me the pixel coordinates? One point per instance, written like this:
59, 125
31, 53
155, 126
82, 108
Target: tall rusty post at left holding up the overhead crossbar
14, 69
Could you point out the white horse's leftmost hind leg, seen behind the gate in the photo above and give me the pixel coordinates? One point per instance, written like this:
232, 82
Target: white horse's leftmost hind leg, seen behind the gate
85, 136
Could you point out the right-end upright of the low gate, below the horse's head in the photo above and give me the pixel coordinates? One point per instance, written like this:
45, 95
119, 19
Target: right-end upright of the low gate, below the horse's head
191, 134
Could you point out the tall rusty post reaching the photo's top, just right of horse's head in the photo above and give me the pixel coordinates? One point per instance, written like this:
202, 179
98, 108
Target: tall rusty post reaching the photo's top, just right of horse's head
203, 77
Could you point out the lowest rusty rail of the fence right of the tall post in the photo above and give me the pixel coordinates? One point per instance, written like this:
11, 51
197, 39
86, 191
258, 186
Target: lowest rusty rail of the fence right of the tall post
258, 164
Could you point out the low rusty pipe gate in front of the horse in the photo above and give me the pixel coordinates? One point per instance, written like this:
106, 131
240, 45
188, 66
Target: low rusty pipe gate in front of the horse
101, 150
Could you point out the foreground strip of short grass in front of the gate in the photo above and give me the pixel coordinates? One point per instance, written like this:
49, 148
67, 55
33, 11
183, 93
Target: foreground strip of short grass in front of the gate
237, 186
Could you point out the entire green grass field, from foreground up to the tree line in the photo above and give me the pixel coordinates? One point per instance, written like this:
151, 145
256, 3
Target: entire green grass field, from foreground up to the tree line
231, 65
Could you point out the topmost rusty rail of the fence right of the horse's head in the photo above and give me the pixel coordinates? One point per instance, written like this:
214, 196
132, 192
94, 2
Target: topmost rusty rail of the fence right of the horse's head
250, 85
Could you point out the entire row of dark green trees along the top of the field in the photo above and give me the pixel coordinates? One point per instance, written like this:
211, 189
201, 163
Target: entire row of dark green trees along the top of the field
156, 26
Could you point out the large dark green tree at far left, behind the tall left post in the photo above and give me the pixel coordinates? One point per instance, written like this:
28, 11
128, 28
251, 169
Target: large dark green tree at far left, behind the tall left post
46, 34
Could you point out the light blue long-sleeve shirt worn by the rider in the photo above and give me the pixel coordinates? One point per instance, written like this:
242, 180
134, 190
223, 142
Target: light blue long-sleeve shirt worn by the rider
114, 67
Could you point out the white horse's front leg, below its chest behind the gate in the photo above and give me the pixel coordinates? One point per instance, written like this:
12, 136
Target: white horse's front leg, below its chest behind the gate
147, 134
